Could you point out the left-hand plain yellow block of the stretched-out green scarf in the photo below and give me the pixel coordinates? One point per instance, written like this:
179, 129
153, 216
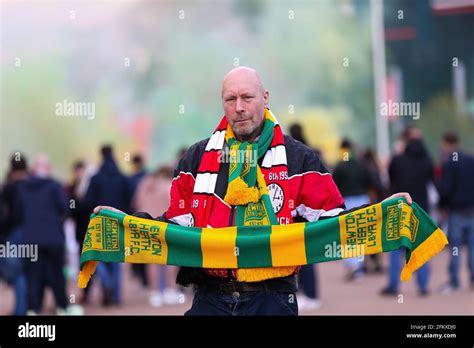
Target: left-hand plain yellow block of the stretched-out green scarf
218, 247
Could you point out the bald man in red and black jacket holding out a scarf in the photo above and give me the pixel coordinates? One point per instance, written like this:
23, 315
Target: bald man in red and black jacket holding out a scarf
204, 194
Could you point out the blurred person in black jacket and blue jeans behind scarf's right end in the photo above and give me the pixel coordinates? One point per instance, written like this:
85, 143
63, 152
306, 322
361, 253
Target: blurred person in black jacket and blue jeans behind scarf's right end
410, 171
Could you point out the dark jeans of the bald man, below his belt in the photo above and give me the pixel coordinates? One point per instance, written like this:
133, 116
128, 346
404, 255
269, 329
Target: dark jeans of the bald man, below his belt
248, 303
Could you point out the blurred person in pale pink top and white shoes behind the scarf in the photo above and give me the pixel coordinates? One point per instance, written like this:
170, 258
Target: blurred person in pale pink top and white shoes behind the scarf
152, 196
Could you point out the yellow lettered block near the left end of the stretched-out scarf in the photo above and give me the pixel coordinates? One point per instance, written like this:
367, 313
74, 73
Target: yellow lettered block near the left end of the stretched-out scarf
144, 242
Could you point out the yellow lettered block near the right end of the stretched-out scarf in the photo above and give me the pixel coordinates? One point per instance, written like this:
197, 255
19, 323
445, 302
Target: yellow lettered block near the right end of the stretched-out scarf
361, 232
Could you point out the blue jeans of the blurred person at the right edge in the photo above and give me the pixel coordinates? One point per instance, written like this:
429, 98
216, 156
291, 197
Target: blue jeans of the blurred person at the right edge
457, 224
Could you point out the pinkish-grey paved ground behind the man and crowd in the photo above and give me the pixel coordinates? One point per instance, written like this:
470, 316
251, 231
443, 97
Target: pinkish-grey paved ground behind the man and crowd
338, 297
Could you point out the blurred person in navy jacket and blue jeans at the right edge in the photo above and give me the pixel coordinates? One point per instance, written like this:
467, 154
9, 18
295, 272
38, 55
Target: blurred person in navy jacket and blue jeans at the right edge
456, 188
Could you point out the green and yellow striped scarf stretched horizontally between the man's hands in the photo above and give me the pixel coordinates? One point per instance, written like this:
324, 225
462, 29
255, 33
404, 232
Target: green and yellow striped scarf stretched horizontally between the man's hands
382, 227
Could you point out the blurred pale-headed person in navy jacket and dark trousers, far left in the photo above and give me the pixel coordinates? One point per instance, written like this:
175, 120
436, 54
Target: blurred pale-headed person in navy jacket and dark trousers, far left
43, 206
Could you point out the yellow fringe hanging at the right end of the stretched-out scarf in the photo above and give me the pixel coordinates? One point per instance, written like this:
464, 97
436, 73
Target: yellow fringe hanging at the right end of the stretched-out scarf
425, 251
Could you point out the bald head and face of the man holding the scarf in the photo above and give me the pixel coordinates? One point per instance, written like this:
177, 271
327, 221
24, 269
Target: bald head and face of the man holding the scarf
244, 100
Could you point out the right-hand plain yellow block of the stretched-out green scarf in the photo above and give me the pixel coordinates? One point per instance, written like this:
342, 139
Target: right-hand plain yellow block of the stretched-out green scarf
287, 245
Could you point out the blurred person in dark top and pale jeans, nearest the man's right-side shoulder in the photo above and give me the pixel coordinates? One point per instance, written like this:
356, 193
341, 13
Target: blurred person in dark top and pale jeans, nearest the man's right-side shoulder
353, 180
